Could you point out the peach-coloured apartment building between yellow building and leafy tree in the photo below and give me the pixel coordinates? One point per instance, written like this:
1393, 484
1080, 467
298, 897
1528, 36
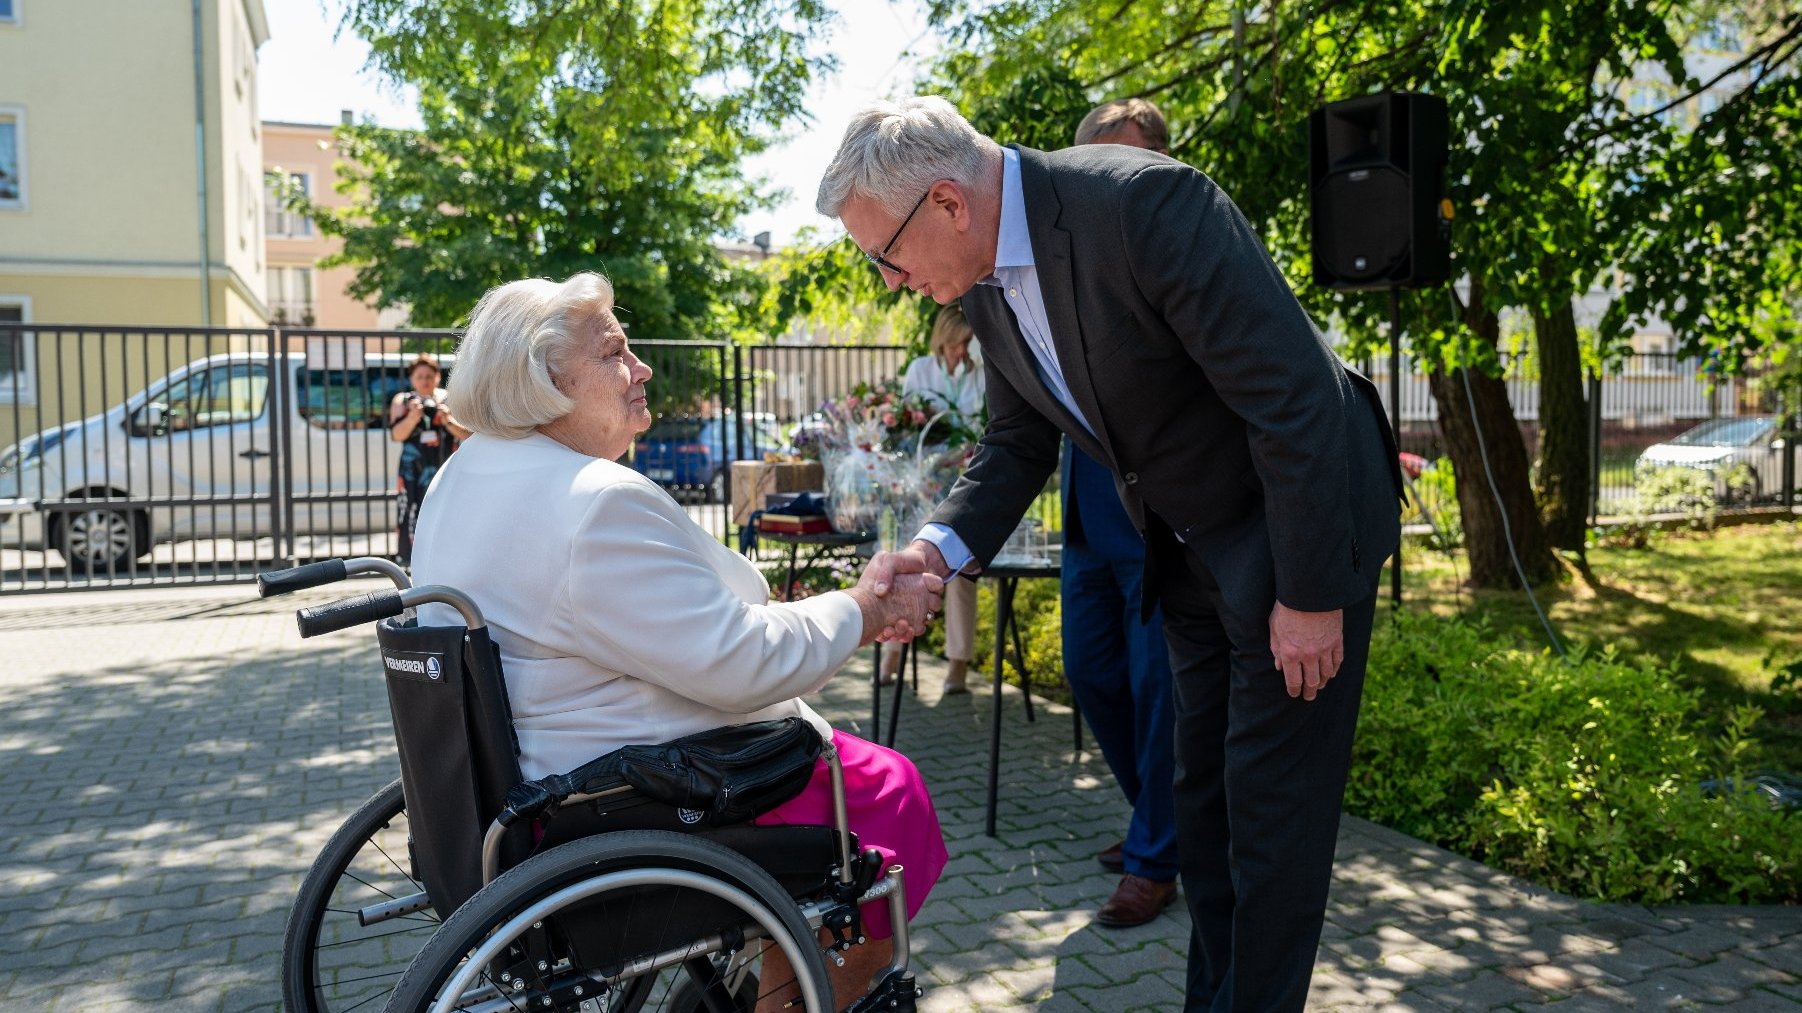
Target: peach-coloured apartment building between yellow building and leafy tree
300, 291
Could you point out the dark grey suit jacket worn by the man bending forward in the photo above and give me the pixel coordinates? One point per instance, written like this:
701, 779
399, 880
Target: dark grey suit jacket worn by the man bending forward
1226, 419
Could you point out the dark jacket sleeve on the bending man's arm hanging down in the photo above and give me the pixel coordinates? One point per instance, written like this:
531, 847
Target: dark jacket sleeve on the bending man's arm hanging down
1201, 266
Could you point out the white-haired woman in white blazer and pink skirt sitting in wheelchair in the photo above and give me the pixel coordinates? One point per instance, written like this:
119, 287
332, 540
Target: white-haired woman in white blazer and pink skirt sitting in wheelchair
619, 619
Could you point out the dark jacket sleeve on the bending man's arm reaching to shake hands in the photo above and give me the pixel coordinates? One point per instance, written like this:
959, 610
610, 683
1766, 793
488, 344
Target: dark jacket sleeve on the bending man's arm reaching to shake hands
1015, 455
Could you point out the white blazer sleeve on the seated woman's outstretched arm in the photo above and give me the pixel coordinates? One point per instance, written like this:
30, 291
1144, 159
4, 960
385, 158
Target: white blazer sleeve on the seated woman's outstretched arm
644, 603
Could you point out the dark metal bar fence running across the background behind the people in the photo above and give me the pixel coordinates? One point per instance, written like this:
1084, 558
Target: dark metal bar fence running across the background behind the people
167, 457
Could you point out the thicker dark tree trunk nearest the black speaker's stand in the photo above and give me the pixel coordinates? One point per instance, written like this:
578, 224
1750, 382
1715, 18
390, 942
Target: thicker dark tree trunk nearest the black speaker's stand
1486, 534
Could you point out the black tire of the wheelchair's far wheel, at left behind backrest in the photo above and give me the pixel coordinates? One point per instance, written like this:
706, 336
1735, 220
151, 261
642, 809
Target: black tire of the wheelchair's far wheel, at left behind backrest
302, 990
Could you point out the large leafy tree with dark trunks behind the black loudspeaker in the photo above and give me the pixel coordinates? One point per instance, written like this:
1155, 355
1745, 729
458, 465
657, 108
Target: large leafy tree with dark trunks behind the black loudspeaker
1558, 183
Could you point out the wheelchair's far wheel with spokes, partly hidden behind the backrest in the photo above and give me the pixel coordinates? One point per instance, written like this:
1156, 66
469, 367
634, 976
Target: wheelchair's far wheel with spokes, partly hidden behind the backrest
331, 960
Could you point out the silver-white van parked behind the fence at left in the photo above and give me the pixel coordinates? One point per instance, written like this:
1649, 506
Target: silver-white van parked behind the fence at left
212, 452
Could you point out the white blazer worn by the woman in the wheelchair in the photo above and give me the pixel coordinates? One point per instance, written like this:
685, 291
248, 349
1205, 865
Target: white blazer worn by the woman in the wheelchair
619, 619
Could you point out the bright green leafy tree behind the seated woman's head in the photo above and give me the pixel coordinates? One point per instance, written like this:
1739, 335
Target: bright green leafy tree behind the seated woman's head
570, 136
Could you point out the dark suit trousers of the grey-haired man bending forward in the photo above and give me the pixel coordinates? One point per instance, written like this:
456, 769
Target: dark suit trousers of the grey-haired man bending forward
1260, 781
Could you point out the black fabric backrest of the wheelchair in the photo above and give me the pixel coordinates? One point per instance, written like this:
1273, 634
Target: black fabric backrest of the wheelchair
459, 753
